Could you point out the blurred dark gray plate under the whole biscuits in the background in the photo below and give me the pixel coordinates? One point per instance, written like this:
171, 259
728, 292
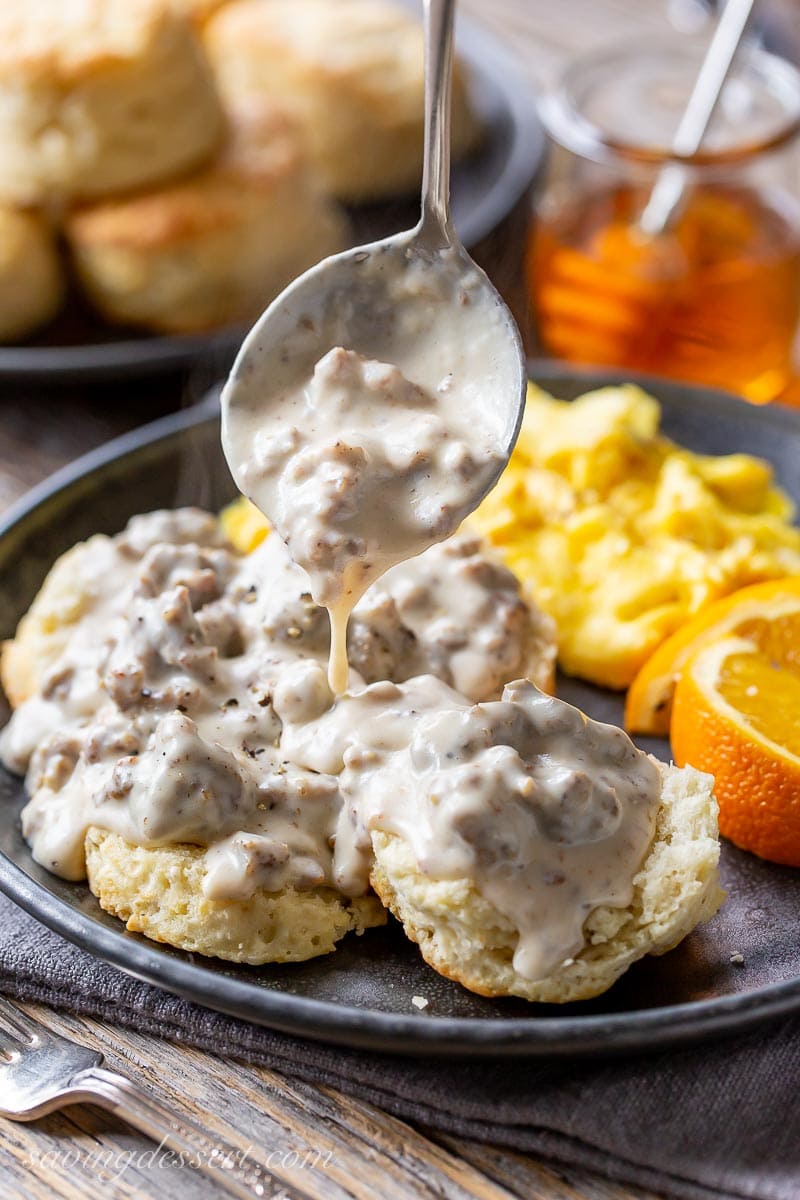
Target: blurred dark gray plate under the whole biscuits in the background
79, 347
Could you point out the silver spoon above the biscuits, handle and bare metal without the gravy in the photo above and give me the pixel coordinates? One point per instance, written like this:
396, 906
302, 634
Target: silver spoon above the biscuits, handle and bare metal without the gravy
351, 299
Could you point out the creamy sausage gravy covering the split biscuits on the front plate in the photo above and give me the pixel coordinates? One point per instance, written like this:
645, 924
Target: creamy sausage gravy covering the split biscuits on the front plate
191, 705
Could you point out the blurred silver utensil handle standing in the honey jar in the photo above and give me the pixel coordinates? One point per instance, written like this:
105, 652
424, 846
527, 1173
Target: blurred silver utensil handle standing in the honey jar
670, 190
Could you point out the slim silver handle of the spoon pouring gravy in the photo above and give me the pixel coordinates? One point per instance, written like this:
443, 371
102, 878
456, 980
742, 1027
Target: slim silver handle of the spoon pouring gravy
436, 225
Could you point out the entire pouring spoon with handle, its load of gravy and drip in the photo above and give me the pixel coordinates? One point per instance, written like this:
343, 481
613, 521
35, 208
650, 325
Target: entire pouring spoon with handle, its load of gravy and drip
378, 399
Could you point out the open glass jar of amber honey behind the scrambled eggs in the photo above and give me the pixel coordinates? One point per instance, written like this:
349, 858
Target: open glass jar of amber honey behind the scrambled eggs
713, 298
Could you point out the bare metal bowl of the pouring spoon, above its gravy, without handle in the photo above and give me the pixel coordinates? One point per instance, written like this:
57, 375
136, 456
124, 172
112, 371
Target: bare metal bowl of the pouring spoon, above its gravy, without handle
404, 301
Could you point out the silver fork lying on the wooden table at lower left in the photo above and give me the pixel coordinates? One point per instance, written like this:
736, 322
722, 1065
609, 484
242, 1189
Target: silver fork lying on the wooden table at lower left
41, 1071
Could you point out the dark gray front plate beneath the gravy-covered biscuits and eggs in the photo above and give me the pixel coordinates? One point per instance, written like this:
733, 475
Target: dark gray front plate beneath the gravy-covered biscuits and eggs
362, 995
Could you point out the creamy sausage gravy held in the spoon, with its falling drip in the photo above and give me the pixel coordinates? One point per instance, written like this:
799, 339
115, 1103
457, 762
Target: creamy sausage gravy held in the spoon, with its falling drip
360, 464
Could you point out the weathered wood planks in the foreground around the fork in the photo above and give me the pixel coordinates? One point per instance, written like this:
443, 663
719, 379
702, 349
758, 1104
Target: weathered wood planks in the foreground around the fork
326, 1144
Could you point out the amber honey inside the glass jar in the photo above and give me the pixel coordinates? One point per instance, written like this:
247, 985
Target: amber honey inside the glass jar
715, 301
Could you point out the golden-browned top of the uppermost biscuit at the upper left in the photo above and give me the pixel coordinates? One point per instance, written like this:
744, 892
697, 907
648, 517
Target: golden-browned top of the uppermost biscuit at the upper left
61, 41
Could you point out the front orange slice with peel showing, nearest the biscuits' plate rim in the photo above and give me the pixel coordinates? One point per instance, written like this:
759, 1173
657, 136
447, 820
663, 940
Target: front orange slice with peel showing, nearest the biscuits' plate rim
737, 715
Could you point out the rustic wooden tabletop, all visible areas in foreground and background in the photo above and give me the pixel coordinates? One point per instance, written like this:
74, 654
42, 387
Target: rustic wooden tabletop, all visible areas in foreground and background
330, 1147
